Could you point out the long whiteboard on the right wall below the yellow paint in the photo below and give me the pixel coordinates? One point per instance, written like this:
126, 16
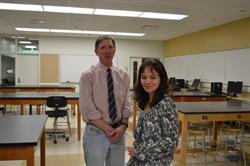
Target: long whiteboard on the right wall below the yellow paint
223, 66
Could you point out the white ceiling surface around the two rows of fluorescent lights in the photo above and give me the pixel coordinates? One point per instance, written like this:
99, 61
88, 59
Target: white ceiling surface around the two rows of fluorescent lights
203, 14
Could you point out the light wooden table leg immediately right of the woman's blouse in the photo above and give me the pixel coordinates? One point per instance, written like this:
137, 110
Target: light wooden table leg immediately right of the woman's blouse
183, 154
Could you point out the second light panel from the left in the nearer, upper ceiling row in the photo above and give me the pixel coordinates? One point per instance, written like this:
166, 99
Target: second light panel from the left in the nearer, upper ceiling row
61, 9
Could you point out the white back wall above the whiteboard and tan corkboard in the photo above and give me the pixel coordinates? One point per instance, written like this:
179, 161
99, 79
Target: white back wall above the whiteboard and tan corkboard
125, 48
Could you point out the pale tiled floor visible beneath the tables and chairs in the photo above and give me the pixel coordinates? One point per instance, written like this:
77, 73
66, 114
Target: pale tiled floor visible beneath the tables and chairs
71, 154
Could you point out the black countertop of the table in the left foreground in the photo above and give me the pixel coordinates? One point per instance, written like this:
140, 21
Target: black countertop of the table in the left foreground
21, 129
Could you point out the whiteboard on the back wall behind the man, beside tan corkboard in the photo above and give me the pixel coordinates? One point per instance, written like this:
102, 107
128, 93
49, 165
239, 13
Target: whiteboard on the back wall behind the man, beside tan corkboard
72, 66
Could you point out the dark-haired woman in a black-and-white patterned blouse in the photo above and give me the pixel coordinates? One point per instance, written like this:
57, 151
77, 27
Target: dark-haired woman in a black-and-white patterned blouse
156, 135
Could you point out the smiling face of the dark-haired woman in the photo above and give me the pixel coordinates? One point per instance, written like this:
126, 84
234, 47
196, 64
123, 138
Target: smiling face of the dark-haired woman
150, 80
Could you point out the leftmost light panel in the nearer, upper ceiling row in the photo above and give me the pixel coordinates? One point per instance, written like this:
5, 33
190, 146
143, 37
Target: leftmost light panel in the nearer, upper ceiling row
23, 7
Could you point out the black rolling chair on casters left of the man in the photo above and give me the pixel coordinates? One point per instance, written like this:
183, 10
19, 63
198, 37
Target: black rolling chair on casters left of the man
58, 103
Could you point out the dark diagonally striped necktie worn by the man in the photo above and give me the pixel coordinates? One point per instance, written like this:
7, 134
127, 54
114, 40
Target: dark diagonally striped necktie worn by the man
111, 96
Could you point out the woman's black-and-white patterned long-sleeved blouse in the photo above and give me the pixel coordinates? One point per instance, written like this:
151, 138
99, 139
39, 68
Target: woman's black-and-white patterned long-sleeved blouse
156, 135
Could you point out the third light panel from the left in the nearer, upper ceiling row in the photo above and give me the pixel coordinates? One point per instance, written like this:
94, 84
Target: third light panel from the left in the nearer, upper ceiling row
122, 13
